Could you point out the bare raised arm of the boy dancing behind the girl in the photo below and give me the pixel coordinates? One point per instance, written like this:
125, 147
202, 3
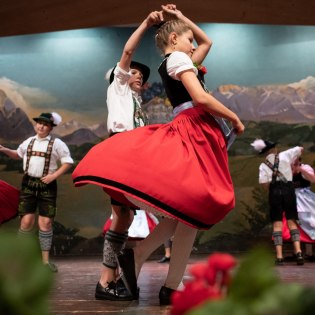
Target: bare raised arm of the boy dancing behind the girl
132, 43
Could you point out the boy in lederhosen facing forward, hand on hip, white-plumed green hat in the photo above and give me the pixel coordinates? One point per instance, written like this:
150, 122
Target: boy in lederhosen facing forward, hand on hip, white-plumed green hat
40, 155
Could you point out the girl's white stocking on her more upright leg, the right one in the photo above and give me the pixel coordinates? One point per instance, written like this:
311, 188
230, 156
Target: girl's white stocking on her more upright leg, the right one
183, 242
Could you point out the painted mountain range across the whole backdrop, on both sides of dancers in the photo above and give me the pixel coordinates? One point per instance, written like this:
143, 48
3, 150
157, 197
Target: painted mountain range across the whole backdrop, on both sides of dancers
292, 103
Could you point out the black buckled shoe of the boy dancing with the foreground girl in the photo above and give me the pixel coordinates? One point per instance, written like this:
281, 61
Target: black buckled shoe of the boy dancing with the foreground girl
111, 293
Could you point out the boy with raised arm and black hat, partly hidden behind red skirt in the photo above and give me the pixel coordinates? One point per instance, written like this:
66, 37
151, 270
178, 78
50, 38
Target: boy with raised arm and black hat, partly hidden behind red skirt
124, 113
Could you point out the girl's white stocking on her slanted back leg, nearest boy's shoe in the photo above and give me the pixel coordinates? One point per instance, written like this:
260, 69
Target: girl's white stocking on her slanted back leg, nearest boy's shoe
162, 232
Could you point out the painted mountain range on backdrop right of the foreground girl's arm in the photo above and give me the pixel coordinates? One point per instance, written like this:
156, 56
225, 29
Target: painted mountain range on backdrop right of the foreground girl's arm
291, 103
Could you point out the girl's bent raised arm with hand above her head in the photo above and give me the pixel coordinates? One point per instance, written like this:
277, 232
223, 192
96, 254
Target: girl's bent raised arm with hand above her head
201, 38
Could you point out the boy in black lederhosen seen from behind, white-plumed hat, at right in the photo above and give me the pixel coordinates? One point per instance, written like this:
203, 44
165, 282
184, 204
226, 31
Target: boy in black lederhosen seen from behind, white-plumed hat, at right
275, 174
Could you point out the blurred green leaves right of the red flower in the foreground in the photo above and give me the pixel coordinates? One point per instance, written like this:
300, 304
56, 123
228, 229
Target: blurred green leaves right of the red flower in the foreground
257, 290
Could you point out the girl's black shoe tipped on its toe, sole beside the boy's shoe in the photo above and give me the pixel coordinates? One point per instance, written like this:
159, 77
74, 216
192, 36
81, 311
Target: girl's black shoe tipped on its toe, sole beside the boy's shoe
126, 261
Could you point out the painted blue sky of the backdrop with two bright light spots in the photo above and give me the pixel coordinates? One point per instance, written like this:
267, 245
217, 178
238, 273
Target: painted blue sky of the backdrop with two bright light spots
65, 70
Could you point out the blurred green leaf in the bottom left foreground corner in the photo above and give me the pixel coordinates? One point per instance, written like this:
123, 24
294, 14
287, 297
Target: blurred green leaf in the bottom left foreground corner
24, 281
